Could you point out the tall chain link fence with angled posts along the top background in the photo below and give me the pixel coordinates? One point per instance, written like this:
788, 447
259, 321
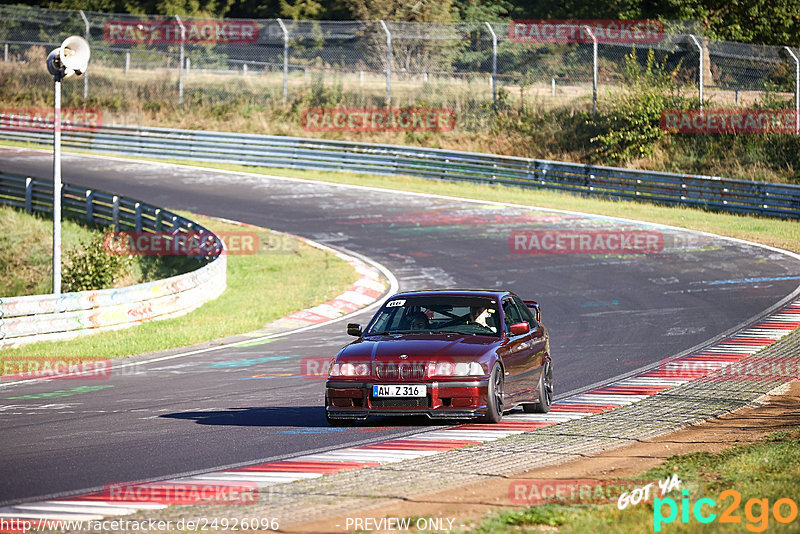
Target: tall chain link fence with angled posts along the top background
141, 64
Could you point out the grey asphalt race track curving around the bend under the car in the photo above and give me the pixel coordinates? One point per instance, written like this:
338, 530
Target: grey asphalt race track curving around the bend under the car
608, 314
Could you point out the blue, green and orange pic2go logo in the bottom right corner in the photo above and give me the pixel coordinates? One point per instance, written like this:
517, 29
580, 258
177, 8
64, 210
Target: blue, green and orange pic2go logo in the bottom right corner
756, 511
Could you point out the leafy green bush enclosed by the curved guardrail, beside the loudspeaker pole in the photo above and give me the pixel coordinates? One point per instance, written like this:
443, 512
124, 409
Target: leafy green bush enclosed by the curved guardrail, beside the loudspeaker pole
91, 266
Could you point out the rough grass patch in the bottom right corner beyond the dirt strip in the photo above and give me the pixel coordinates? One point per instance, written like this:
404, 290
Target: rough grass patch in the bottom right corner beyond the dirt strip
768, 470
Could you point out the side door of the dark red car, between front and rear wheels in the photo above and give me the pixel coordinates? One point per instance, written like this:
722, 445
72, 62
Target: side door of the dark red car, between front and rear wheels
516, 354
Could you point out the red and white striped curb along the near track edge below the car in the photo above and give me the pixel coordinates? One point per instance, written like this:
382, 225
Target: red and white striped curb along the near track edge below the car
97, 505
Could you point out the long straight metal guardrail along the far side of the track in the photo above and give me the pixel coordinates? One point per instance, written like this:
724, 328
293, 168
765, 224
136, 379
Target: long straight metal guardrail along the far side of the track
734, 196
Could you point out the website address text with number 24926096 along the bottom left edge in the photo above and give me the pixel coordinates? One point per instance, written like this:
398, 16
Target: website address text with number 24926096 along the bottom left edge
200, 524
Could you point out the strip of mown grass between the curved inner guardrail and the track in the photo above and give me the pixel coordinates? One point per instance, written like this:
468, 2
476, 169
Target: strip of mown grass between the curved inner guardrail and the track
285, 276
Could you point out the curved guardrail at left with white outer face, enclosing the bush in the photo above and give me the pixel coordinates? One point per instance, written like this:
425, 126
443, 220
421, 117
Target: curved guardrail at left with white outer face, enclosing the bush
47, 317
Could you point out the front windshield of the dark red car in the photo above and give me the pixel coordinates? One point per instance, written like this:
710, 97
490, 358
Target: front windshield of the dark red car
437, 314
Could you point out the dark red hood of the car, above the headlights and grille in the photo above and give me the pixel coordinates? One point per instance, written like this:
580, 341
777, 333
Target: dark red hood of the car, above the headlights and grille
419, 347
